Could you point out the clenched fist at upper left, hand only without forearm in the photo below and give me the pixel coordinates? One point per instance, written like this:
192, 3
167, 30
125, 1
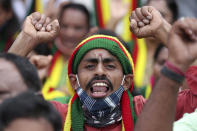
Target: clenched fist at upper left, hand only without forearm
40, 27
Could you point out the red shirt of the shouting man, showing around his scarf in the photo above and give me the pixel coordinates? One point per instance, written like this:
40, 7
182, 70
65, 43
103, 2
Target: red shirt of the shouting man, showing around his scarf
138, 103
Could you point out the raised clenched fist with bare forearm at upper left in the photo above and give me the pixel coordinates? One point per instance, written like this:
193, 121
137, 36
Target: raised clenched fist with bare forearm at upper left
37, 29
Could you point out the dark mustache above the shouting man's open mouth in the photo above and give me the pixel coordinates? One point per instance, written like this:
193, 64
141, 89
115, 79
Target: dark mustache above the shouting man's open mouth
99, 78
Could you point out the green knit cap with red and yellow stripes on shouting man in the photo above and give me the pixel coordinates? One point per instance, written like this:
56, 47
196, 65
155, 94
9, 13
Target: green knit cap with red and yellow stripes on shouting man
109, 43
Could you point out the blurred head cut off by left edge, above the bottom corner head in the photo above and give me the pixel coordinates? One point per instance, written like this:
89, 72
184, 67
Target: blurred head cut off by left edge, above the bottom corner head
17, 75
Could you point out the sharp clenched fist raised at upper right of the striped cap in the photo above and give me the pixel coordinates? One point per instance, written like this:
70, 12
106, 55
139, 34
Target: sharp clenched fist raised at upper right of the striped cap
148, 22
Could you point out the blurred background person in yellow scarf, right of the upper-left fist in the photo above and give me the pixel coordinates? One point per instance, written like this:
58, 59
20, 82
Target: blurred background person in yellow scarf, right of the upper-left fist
74, 26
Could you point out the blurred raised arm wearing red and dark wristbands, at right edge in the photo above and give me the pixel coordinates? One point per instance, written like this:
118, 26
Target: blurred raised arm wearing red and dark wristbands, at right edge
159, 111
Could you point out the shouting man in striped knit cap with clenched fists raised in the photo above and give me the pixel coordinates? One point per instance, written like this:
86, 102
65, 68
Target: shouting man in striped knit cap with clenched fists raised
100, 73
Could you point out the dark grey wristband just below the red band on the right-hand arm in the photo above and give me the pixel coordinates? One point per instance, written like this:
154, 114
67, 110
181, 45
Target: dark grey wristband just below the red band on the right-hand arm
172, 75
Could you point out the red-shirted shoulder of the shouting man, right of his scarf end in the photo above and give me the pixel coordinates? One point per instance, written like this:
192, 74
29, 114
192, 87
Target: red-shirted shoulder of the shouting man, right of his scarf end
138, 104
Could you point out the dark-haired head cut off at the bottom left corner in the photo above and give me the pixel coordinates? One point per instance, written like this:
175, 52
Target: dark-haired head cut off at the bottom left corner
28, 112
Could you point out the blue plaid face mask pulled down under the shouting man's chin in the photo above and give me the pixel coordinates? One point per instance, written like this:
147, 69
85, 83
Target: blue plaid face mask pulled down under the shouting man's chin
101, 112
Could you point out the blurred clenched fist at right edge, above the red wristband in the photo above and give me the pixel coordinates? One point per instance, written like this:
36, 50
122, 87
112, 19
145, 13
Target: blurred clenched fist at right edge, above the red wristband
183, 43
